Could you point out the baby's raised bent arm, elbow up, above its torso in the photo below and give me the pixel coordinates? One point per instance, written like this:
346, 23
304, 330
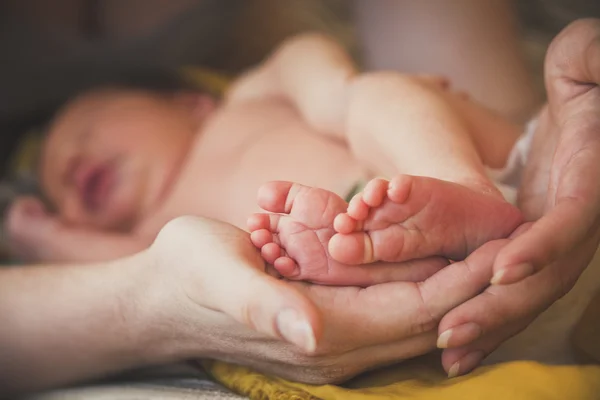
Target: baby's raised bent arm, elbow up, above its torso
312, 72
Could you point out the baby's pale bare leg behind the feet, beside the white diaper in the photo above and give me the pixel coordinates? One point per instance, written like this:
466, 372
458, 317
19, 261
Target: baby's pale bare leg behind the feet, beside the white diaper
398, 124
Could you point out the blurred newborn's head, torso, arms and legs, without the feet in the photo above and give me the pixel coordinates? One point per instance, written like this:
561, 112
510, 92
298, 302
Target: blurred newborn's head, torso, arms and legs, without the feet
276, 117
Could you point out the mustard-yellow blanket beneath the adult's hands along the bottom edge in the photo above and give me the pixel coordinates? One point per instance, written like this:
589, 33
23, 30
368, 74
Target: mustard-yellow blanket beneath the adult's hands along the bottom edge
422, 379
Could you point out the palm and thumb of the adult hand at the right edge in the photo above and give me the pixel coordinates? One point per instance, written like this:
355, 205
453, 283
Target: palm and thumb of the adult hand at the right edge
560, 184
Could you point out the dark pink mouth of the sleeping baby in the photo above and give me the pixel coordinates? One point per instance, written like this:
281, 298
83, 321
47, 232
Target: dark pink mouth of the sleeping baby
95, 184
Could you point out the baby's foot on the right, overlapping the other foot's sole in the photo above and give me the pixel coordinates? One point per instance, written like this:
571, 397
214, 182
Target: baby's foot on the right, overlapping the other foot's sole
413, 217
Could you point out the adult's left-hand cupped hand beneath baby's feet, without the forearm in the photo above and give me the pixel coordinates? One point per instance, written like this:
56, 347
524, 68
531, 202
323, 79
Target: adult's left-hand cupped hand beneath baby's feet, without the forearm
219, 302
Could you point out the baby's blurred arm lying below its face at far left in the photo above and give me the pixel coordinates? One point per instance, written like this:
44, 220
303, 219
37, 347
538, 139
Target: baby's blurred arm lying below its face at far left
35, 235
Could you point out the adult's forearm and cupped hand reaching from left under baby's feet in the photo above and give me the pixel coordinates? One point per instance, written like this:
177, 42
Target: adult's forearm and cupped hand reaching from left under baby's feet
170, 303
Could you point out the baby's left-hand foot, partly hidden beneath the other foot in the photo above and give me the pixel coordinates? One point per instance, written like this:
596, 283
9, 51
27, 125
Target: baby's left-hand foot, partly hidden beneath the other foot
294, 239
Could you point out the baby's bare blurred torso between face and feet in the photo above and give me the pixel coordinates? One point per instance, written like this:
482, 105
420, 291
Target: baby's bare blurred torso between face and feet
245, 145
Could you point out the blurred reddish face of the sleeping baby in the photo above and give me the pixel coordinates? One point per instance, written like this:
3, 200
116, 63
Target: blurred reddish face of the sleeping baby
110, 156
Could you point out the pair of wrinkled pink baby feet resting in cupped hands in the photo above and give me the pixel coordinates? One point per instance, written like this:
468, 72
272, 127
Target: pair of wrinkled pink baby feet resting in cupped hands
313, 234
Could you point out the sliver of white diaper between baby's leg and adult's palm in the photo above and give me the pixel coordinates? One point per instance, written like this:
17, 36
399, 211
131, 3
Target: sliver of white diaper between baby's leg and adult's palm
508, 179
